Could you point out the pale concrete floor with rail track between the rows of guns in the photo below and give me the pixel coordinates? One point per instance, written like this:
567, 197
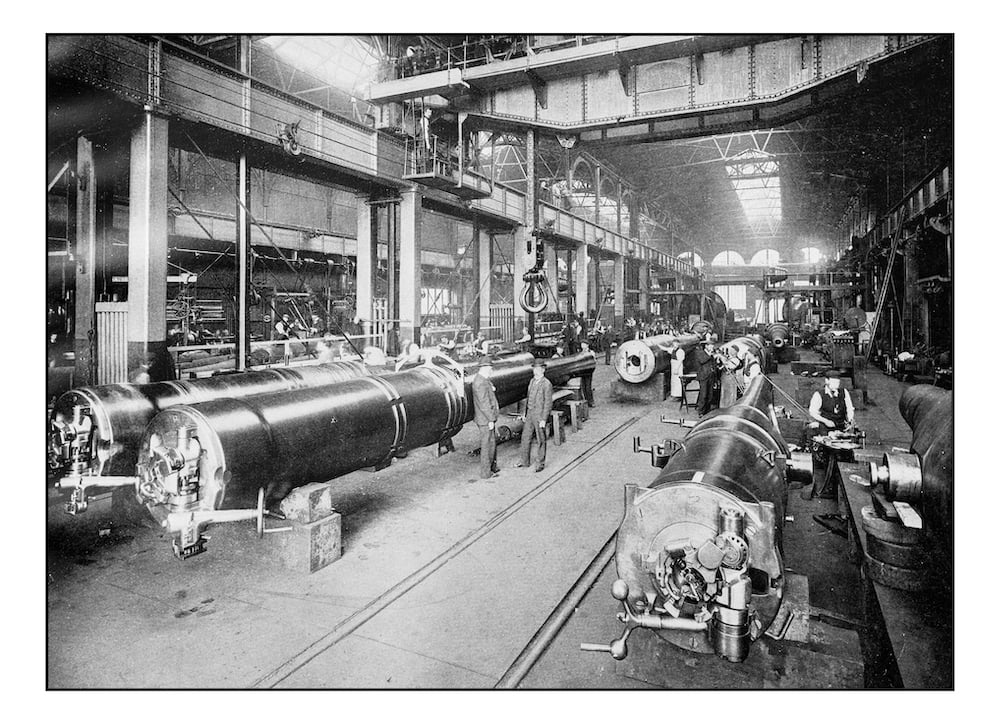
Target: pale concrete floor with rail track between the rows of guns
443, 580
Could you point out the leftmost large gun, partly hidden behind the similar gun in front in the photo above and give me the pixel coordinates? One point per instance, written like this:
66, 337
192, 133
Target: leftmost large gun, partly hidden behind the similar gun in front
95, 432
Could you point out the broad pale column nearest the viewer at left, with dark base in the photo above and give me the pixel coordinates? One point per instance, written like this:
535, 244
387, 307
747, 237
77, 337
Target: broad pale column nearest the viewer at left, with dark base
147, 249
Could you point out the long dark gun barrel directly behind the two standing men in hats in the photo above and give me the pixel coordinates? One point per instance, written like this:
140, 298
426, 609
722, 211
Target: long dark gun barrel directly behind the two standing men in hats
199, 459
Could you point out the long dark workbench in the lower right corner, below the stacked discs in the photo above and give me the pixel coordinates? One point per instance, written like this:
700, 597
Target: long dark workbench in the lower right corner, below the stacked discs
908, 638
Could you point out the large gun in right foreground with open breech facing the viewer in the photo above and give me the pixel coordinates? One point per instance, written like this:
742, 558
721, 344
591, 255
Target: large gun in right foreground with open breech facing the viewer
699, 551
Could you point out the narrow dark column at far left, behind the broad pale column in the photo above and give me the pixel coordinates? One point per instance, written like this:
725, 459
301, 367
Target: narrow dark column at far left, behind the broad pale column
84, 331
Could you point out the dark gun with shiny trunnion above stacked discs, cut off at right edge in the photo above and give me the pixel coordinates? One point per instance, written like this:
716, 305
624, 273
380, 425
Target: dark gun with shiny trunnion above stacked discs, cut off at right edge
909, 524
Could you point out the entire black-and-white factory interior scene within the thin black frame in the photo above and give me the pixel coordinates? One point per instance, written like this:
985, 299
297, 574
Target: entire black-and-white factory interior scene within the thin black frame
501, 361
